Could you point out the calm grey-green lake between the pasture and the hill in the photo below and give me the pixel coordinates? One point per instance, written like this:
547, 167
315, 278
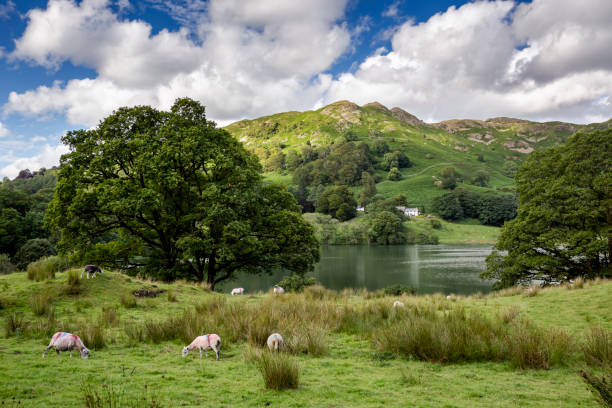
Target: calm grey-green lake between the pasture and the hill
429, 268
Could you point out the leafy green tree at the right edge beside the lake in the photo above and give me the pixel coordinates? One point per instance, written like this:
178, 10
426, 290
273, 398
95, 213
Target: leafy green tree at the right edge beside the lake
564, 224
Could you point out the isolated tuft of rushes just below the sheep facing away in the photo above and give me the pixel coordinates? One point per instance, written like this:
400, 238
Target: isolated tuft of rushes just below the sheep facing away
280, 371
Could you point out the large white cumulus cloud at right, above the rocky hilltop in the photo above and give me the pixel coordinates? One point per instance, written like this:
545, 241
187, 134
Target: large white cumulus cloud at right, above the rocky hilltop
540, 60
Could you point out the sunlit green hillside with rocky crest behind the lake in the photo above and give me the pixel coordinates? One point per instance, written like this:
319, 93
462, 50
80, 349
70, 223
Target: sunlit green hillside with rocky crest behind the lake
494, 146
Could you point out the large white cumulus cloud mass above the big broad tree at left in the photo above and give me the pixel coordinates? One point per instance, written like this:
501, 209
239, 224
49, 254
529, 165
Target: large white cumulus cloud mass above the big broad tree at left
252, 57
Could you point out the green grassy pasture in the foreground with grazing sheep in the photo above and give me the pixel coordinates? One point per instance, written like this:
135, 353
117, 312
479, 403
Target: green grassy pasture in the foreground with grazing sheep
348, 363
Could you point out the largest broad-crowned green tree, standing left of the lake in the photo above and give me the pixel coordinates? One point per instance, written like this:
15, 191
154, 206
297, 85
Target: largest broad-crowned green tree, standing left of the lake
184, 196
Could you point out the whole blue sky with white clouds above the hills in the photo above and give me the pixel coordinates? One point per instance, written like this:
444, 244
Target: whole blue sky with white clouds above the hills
67, 64
